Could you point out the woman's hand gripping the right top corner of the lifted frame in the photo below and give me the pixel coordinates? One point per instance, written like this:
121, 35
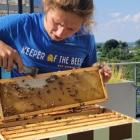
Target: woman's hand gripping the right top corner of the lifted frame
105, 72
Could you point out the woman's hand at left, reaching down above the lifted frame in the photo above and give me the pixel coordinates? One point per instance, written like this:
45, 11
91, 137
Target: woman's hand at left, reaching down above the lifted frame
9, 57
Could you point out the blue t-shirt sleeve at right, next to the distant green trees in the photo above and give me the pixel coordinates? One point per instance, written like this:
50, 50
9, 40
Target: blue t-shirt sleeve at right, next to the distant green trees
92, 56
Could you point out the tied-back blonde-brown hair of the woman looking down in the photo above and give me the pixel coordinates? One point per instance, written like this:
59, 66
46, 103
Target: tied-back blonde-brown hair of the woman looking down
82, 8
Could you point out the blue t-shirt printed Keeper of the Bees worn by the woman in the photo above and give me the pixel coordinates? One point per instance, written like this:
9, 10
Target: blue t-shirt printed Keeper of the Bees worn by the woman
26, 34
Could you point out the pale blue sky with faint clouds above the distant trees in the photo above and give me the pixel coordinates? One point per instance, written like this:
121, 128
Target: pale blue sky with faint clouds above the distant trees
117, 19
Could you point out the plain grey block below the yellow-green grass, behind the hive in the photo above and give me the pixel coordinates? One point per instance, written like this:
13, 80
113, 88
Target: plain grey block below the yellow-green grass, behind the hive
122, 98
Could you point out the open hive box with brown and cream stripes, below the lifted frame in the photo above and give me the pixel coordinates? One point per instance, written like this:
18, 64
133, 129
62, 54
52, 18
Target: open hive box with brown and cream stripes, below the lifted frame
102, 124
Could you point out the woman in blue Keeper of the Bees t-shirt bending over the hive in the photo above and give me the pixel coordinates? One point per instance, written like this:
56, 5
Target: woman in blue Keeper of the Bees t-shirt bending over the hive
57, 39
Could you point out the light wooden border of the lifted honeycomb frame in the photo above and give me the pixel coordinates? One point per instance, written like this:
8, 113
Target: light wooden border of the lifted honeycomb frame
42, 77
